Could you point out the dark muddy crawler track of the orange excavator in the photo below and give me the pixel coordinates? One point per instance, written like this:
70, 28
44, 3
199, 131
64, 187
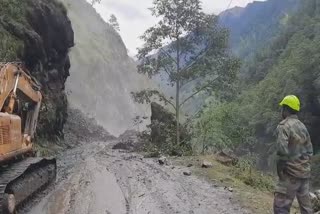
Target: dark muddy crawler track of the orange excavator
22, 180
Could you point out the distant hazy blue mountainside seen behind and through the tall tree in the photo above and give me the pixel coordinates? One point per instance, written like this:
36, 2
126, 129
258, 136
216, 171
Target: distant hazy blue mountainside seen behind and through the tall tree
251, 30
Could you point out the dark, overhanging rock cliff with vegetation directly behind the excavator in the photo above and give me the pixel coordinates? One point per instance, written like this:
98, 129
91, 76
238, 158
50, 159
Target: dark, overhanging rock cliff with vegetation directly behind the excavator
39, 33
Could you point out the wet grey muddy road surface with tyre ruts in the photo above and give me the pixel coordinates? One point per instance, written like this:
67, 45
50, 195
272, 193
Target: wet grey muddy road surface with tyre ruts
94, 179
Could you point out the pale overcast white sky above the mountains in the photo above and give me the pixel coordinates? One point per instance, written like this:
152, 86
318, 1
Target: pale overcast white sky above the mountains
134, 17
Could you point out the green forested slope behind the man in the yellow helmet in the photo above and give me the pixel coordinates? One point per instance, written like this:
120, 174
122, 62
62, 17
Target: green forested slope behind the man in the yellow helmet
250, 120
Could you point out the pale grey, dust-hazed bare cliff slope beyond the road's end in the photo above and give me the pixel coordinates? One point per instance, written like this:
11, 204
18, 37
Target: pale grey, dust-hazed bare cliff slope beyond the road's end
102, 74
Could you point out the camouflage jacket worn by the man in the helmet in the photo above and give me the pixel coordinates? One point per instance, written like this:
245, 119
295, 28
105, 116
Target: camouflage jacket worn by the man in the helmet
294, 147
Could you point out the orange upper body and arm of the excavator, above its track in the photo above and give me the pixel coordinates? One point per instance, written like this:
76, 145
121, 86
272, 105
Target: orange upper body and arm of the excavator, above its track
17, 127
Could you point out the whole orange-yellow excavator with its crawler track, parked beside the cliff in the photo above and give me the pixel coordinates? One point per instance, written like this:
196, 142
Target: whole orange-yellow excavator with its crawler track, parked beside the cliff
21, 173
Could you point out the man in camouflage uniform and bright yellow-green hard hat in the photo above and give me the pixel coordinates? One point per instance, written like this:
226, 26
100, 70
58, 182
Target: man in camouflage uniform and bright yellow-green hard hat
294, 152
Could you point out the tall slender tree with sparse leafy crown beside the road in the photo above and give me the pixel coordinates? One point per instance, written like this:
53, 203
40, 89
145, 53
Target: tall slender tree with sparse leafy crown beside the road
189, 47
